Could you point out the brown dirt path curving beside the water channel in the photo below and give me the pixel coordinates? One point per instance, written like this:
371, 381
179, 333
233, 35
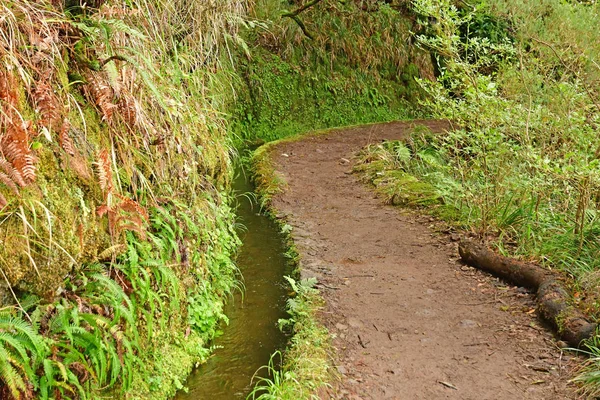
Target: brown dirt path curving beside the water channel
411, 321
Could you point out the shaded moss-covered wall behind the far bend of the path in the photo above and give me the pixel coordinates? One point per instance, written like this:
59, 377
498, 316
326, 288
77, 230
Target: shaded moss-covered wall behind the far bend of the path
358, 66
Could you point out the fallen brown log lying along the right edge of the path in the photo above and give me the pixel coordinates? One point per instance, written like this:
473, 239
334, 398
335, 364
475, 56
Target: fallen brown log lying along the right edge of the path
552, 298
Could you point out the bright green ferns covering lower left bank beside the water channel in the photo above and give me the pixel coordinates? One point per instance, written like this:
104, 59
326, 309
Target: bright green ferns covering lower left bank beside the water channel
110, 330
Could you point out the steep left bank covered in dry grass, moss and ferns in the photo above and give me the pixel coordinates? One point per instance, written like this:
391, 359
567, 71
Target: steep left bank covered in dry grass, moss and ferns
123, 315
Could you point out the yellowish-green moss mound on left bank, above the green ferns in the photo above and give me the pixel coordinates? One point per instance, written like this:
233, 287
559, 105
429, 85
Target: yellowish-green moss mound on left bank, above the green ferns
46, 240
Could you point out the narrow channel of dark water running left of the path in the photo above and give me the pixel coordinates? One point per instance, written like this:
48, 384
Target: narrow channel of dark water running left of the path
252, 334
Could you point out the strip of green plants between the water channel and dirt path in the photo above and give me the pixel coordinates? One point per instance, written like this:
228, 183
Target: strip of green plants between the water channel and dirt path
306, 363
